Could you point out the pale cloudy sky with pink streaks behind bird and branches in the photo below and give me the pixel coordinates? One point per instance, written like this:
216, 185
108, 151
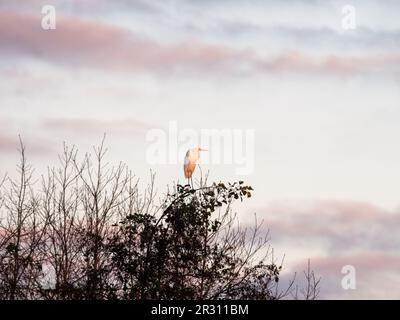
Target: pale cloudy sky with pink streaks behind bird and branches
323, 101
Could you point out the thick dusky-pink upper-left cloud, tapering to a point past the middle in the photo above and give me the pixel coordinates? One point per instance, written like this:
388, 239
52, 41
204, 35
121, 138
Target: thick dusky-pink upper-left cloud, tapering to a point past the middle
89, 43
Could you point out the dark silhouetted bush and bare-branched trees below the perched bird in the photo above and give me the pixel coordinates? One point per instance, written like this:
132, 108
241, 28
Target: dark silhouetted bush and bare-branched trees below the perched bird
86, 232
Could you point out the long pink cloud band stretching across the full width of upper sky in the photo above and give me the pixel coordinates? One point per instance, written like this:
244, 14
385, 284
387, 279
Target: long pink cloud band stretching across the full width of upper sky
99, 45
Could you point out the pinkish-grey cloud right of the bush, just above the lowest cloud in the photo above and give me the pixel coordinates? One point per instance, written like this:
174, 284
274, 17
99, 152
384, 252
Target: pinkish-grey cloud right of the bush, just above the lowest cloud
335, 225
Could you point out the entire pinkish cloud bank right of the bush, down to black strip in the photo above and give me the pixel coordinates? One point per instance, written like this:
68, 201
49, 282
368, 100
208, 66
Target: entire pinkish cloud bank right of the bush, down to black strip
348, 232
